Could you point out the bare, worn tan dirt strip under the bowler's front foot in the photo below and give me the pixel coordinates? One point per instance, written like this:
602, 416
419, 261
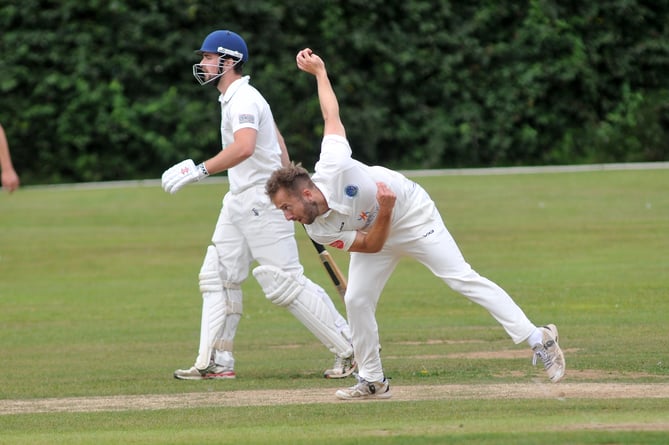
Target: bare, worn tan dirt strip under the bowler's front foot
543, 390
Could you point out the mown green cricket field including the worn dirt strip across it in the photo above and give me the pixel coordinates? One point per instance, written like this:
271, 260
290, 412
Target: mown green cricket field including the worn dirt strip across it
99, 303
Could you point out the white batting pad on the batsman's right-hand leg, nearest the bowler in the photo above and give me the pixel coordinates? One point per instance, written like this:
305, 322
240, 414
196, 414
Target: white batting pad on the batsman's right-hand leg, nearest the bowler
301, 299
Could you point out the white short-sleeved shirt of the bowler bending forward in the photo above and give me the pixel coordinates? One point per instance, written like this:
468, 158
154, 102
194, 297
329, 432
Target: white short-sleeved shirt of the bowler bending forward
349, 187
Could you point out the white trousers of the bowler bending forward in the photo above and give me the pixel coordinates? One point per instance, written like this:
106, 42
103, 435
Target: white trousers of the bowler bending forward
432, 245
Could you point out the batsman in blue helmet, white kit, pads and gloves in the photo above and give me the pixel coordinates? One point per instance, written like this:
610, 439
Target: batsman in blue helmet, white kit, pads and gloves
249, 227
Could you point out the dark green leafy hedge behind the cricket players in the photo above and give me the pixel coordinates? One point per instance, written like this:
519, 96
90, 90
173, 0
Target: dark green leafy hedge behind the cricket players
102, 90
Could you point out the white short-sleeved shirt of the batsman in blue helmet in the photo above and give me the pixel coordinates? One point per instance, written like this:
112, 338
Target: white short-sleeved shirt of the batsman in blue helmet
242, 106
